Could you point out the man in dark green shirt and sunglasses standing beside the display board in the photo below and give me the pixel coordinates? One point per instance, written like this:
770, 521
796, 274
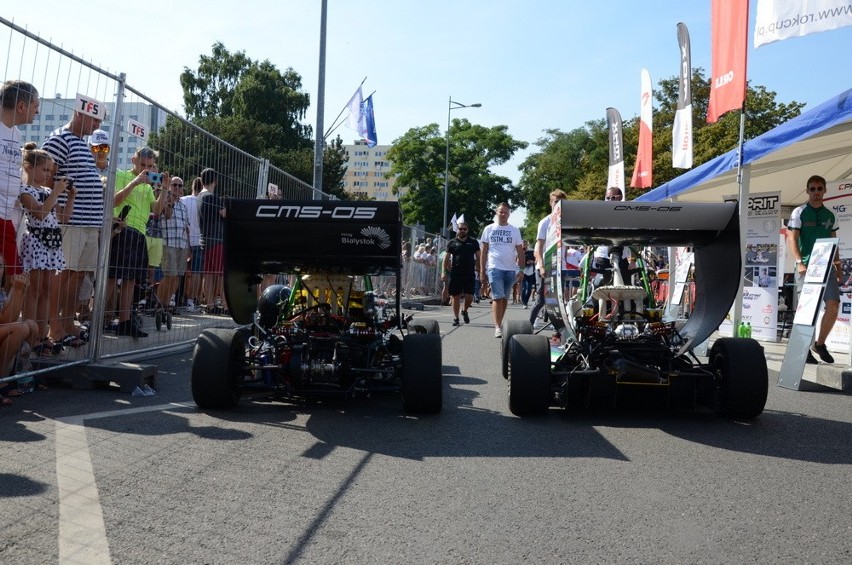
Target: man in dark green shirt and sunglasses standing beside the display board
809, 222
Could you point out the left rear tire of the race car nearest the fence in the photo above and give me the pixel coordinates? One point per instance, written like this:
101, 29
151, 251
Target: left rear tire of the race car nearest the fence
217, 359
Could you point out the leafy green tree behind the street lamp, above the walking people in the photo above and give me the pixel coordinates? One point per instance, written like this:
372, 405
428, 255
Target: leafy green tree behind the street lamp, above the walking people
419, 159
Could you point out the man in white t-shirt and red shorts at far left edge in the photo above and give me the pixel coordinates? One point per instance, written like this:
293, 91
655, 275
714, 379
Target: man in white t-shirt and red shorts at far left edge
18, 106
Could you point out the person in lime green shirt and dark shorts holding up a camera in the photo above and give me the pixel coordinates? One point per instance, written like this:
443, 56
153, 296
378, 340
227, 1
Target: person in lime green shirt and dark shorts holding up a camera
128, 257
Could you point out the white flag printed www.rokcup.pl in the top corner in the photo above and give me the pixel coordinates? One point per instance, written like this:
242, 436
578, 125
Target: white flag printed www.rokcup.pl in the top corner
783, 19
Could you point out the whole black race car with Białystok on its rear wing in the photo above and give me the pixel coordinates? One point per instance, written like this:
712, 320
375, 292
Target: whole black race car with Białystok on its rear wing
329, 332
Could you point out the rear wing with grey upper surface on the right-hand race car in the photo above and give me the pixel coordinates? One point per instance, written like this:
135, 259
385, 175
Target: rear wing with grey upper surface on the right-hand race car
711, 229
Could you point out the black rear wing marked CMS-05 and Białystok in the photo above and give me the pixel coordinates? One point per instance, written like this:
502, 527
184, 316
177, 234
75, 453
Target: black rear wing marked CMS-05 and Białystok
301, 237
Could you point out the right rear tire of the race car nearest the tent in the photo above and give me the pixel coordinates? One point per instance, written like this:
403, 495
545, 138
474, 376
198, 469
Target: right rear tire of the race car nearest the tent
741, 375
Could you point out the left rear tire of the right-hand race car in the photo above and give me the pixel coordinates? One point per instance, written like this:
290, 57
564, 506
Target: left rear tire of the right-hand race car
529, 389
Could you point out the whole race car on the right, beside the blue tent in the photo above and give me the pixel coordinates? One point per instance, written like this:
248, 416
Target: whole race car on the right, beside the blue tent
609, 344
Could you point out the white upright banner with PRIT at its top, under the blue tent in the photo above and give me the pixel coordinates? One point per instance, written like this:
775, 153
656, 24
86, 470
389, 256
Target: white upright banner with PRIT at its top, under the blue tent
762, 275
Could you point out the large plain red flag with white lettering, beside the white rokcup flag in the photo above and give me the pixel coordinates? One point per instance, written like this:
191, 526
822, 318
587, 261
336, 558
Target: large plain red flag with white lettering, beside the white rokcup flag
729, 31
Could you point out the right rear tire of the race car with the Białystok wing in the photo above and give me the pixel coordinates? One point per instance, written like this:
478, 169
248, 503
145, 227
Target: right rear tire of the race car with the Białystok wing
421, 386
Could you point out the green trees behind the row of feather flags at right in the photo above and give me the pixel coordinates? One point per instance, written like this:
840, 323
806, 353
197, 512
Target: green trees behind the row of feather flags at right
577, 161
